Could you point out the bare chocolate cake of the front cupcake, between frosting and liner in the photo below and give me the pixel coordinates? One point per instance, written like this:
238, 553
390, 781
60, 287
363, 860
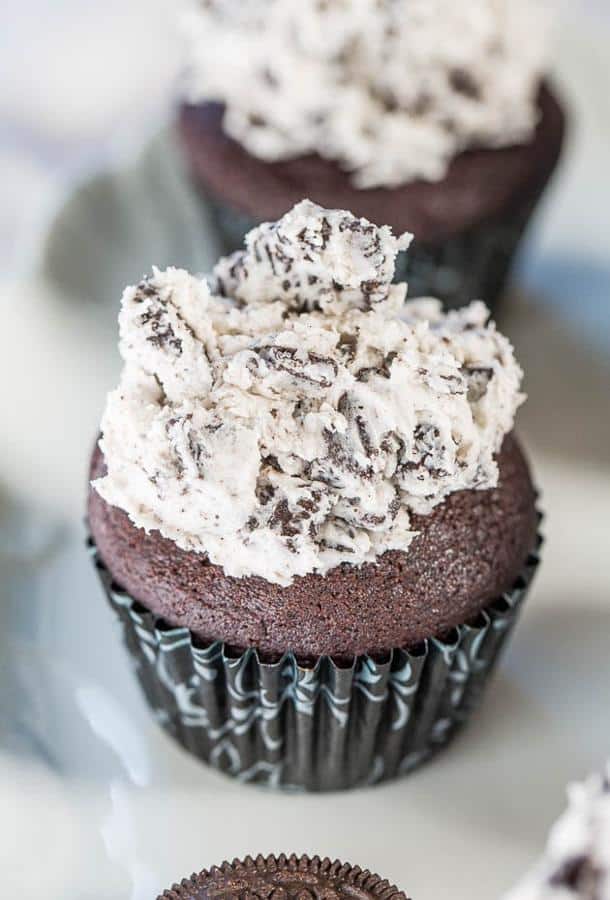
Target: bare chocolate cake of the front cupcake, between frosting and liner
469, 550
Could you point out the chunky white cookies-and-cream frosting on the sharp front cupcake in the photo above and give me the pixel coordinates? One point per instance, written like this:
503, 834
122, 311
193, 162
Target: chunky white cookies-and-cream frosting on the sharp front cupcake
290, 413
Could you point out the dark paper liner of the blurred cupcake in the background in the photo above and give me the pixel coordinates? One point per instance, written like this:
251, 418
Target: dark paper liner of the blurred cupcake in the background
472, 265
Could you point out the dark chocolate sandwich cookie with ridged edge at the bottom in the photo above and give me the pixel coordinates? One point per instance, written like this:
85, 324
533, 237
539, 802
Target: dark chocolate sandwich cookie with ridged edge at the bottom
289, 877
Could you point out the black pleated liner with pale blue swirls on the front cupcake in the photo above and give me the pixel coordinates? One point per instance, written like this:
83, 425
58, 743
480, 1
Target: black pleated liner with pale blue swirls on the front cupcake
320, 726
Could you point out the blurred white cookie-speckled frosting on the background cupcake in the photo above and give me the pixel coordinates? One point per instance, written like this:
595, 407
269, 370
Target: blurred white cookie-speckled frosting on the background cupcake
391, 90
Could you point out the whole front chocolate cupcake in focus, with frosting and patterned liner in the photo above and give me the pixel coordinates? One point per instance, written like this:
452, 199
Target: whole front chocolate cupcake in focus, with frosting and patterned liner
308, 506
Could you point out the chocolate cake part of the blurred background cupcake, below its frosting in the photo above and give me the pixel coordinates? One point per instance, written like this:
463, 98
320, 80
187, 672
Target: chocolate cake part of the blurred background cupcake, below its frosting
480, 188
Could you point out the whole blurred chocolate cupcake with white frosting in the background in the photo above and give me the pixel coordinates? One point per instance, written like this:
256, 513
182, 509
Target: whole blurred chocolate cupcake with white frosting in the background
432, 116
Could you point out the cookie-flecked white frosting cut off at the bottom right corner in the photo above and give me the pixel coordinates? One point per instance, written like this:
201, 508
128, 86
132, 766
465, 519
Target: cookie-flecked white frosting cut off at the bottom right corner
576, 864
